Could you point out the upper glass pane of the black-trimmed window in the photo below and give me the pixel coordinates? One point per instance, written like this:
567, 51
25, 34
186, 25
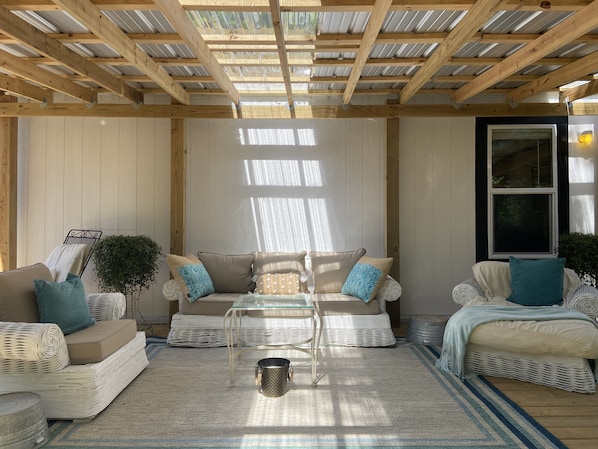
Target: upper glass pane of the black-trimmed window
522, 158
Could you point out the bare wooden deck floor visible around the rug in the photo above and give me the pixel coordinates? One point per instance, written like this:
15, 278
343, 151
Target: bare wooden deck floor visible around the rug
571, 417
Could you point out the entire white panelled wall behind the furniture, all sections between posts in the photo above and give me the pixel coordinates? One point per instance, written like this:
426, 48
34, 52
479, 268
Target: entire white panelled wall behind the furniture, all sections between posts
328, 187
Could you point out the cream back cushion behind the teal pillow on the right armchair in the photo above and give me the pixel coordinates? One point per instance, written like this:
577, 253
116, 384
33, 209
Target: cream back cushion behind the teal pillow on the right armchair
495, 278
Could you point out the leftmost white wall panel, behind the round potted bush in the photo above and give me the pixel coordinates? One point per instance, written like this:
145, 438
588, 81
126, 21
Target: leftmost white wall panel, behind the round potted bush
90, 173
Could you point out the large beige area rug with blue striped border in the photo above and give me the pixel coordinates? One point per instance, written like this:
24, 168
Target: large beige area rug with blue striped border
365, 398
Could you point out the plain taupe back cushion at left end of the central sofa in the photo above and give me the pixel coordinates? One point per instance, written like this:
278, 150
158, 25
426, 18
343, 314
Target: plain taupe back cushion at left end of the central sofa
230, 273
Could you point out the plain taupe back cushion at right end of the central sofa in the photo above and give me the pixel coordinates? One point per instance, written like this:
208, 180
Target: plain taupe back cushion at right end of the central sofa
330, 269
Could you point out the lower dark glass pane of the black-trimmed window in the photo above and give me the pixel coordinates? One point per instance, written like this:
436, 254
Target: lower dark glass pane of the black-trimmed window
521, 223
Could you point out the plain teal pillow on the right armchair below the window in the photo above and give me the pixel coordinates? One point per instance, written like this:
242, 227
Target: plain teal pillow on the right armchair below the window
536, 282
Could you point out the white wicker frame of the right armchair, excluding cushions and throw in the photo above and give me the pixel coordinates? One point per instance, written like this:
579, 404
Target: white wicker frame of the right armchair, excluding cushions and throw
564, 371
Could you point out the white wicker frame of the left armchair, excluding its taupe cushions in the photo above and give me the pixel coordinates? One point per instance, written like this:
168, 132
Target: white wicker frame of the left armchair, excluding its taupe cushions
35, 357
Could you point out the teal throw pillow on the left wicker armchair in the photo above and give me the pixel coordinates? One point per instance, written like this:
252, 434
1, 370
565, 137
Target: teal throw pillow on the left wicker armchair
63, 303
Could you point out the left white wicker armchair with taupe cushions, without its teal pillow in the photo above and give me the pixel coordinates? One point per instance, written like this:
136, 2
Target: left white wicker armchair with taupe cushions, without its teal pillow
77, 375
